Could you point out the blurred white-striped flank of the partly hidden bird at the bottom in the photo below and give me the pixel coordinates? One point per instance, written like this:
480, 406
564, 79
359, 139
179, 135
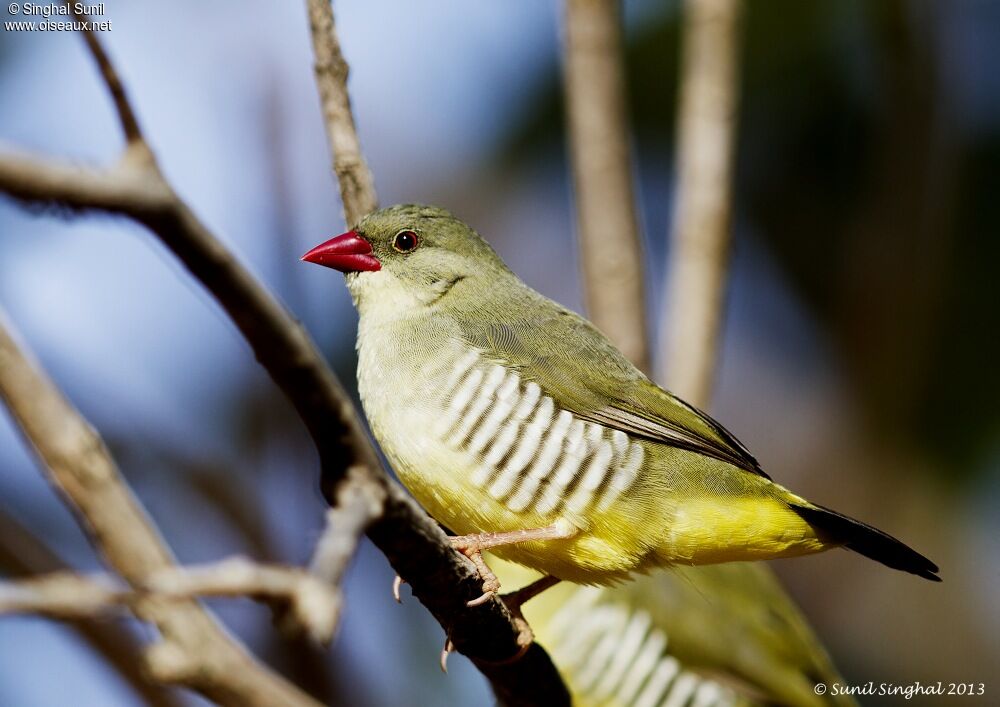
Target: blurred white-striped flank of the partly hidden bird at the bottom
613, 654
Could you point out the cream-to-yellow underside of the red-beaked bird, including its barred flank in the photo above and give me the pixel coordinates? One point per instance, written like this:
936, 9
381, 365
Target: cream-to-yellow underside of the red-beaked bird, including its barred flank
484, 451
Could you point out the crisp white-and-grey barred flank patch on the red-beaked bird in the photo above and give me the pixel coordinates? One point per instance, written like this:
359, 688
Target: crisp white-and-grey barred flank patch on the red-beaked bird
533, 454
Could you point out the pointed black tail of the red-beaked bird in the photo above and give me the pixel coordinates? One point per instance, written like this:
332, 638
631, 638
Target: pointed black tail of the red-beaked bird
868, 541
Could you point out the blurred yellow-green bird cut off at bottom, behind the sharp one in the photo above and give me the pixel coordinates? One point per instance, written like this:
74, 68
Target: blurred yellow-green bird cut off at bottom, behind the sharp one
715, 635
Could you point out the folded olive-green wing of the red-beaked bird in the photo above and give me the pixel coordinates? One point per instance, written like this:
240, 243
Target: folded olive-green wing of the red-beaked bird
584, 373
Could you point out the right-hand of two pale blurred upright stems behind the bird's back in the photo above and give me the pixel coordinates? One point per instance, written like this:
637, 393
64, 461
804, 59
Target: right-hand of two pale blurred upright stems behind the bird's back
699, 255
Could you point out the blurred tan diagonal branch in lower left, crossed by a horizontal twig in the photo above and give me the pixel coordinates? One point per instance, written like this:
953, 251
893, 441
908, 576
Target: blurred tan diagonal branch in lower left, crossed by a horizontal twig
200, 655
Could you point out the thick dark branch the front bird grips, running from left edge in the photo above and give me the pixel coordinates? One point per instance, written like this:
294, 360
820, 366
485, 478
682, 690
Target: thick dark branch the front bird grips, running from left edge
414, 545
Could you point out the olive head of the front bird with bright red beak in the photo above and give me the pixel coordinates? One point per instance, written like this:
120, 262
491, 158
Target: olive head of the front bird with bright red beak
410, 256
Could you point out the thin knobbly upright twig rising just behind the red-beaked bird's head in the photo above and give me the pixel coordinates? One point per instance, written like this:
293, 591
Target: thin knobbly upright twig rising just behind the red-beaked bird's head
357, 188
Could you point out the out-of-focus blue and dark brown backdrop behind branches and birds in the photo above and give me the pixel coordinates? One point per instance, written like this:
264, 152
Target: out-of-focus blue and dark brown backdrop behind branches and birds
860, 346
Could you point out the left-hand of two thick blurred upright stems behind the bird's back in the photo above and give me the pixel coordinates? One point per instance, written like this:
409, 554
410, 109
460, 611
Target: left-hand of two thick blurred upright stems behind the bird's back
608, 229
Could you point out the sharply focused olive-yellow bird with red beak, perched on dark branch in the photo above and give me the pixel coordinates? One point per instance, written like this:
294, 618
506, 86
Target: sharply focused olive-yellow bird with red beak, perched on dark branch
521, 428
